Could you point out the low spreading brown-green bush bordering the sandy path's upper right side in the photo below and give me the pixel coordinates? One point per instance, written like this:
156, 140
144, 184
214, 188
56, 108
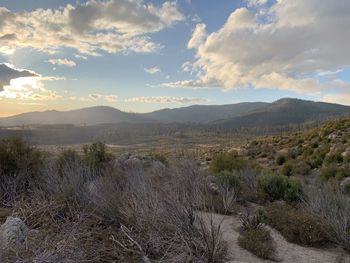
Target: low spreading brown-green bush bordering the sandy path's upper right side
298, 226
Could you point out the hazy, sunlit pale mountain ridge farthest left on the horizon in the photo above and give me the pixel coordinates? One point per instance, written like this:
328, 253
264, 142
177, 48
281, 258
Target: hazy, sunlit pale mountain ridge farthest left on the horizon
86, 116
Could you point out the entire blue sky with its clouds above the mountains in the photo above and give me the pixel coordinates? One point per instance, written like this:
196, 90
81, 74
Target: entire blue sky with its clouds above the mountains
144, 55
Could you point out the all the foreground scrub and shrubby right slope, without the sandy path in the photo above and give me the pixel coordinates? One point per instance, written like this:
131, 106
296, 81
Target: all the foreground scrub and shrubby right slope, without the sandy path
92, 206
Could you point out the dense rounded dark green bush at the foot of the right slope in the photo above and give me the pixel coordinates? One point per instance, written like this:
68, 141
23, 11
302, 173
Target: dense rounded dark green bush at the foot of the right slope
276, 187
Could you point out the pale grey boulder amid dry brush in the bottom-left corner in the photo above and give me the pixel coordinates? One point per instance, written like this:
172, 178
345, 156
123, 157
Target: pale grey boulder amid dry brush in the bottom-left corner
13, 233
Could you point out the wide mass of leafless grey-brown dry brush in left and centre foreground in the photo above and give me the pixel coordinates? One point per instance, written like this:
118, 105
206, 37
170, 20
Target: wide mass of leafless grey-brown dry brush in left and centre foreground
123, 213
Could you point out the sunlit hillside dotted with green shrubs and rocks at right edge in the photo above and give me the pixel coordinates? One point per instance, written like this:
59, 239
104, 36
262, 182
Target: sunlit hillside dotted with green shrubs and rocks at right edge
323, 151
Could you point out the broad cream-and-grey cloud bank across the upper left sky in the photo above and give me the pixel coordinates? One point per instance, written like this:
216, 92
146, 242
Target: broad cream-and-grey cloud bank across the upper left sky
112, 26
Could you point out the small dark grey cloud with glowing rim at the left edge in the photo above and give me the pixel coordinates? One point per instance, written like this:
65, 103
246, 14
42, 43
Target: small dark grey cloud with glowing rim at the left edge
8, 72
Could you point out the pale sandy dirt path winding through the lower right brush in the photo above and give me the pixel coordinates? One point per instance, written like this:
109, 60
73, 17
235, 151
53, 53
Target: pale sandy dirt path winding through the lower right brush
286, 252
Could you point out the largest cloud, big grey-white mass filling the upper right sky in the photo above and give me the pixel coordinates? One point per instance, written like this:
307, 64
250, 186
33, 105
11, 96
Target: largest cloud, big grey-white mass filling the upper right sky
283, 47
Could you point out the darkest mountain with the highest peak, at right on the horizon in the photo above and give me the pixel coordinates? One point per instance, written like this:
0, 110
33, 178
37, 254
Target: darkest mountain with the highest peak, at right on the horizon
285, 112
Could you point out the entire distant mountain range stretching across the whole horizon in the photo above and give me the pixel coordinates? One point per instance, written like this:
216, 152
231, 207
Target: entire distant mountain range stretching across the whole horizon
250, 114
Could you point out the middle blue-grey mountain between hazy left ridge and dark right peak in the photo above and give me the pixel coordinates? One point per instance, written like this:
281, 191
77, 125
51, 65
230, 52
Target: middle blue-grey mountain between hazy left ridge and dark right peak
204, 113
